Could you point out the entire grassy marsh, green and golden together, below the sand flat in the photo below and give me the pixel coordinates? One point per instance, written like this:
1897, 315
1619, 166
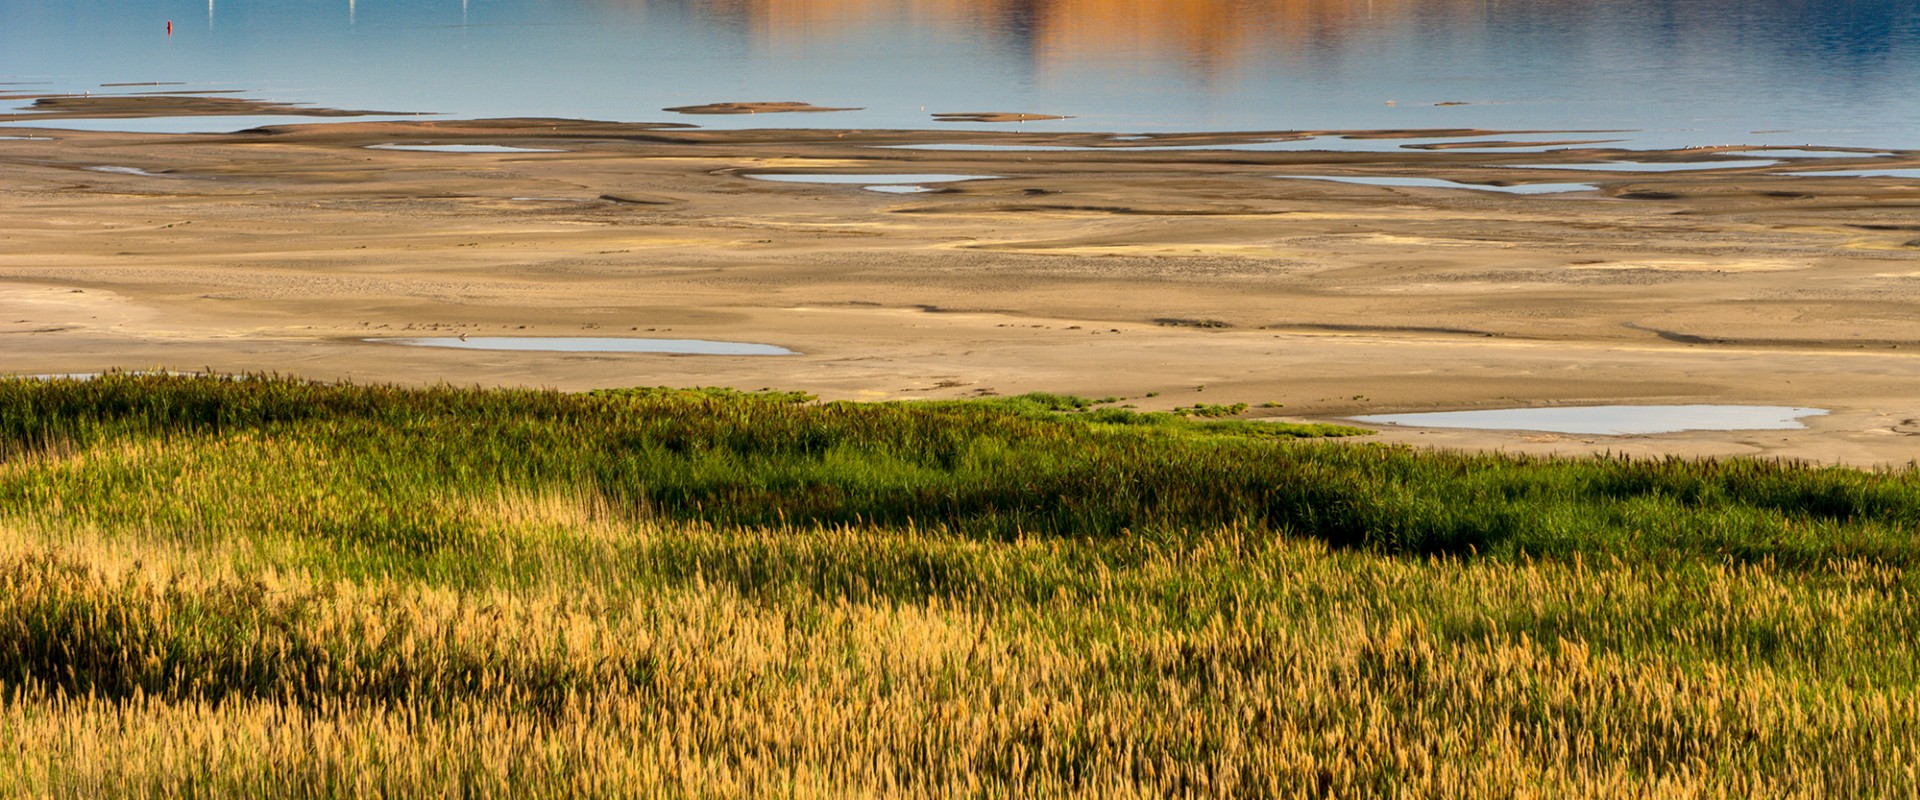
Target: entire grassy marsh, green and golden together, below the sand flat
268, 588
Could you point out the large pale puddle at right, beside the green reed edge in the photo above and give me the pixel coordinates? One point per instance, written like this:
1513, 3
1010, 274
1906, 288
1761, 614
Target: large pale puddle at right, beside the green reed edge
1610, 419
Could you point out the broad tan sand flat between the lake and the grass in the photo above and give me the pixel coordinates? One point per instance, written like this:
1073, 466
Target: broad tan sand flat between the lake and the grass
1168, 277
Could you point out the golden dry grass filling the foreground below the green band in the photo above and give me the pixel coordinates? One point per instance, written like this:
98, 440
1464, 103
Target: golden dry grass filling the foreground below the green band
1245, 669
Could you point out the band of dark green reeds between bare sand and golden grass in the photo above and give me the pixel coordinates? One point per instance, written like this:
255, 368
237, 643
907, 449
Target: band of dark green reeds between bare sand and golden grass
387, 469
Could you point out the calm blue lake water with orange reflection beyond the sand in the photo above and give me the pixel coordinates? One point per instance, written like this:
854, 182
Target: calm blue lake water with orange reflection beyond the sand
1679, 72
